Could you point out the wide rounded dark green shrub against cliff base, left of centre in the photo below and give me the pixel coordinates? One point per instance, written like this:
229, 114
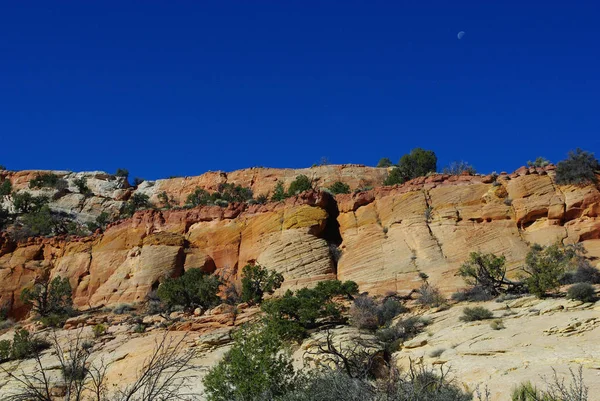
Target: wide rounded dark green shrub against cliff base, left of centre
193, 289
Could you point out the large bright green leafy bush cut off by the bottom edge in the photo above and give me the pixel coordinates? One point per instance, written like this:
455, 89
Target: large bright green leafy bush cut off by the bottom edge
256, 366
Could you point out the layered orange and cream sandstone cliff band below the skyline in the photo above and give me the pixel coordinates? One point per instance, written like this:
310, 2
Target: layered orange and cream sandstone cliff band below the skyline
386, 235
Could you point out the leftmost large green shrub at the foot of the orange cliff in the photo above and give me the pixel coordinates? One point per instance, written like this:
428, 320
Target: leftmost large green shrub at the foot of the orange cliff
49, 297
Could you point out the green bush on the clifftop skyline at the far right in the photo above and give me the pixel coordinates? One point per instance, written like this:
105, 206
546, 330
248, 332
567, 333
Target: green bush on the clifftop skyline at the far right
579, 168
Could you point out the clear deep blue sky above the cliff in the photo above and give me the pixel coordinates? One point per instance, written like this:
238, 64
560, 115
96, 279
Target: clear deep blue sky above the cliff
182, 87
